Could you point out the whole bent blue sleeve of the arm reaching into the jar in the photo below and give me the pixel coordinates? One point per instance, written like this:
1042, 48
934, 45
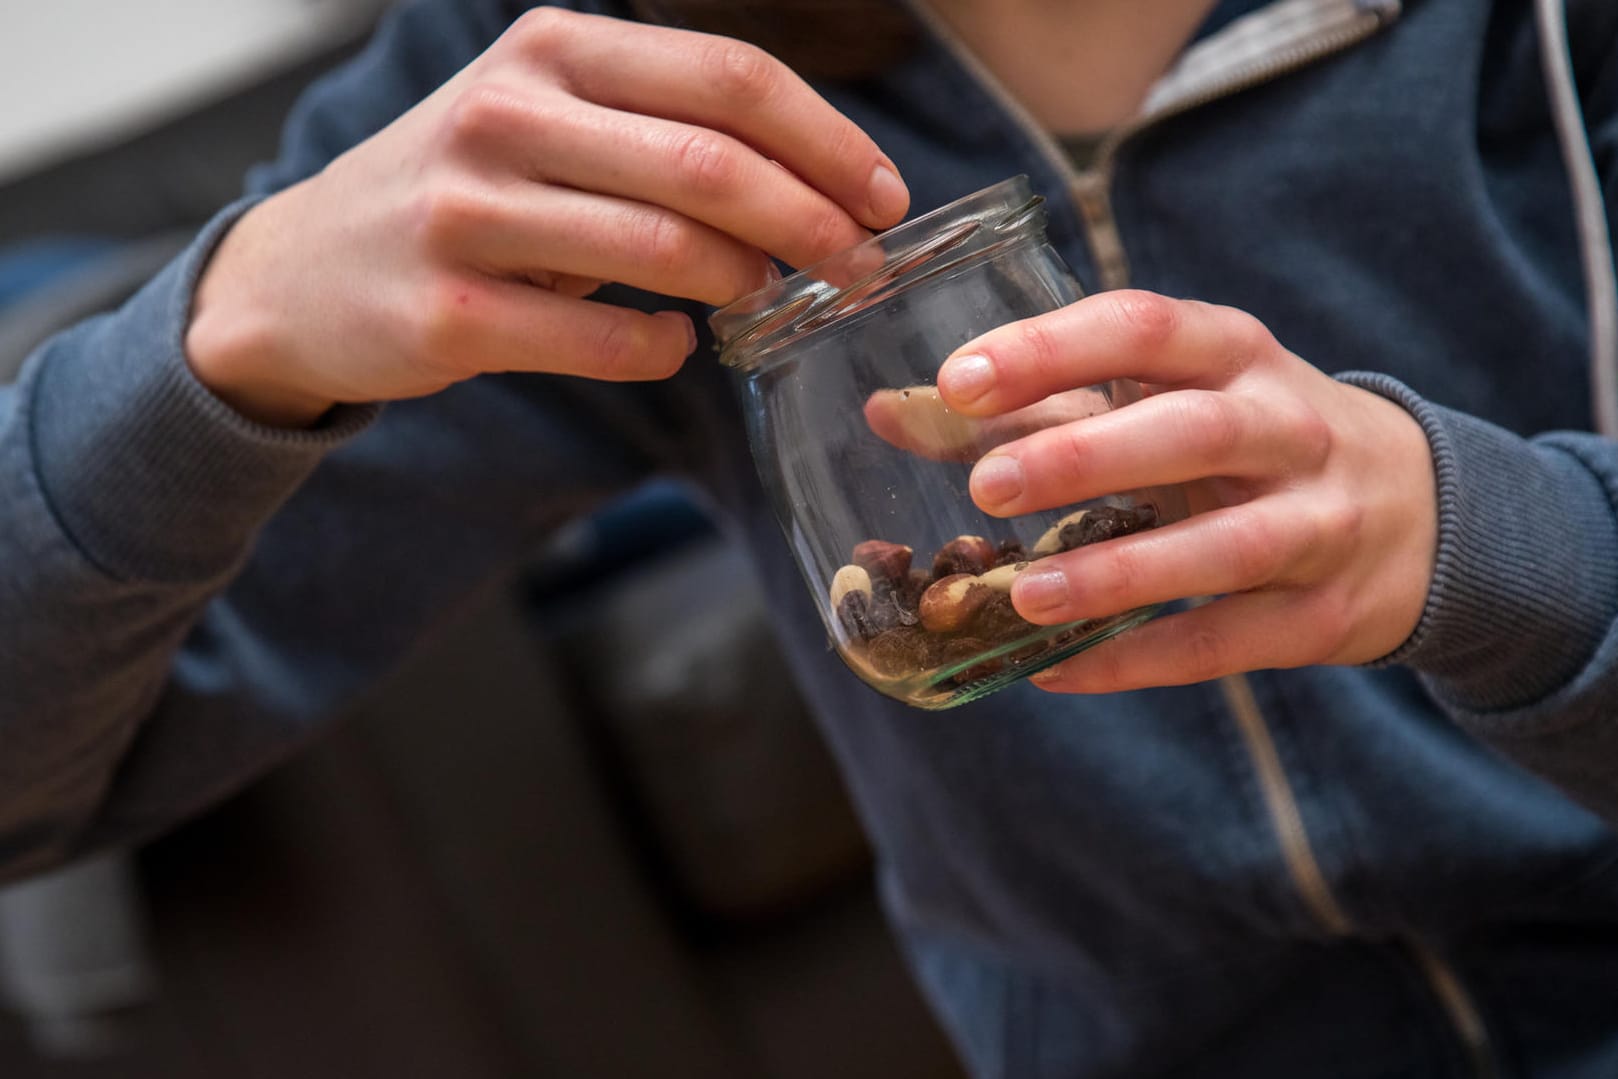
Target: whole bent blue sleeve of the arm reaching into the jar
185, 596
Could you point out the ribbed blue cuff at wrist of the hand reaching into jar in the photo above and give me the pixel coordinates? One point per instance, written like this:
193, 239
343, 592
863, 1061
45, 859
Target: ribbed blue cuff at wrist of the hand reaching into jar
146, 472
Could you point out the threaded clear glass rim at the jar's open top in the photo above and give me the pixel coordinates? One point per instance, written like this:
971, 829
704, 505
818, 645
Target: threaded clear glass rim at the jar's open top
858, 277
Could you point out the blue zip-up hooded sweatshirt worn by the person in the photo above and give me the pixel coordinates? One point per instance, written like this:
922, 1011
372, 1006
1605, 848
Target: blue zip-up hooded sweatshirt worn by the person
1405, 870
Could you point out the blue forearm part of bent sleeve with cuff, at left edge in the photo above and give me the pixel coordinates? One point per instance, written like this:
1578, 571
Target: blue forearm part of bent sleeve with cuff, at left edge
130, 499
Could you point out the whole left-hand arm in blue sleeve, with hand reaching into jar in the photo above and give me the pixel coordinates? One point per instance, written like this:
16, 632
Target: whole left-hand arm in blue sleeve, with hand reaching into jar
190, 596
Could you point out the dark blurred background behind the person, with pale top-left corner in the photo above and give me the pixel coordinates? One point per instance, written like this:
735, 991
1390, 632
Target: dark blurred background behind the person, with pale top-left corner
506, 863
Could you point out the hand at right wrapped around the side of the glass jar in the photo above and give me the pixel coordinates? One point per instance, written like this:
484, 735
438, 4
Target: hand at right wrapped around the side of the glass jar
1315, 507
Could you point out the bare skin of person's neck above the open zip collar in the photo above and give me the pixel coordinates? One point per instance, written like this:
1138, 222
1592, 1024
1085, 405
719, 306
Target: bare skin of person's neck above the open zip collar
1077, 66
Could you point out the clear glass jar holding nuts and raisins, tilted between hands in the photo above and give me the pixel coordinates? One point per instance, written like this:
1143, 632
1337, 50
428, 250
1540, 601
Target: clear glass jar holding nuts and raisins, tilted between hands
868, 470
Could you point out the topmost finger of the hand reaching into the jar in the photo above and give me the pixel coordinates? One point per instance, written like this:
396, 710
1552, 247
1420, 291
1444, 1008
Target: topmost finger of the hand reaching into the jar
742, 91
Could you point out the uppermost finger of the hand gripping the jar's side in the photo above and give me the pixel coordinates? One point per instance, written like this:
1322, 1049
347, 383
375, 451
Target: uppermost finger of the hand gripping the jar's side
1124, 334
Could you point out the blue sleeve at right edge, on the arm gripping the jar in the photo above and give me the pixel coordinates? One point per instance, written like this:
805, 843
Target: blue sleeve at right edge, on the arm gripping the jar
1520, 638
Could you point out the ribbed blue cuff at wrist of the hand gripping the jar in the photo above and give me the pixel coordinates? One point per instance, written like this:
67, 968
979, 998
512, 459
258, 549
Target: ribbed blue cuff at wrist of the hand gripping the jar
1527, 575
